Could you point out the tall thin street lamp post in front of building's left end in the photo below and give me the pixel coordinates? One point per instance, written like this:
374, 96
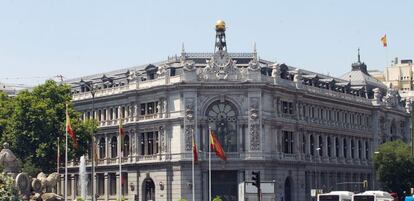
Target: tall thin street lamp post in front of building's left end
92, 88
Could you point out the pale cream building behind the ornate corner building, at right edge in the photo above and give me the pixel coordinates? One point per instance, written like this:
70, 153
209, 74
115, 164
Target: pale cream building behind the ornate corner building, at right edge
399, 76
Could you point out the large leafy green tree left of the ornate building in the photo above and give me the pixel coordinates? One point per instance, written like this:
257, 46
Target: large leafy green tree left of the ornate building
37, 120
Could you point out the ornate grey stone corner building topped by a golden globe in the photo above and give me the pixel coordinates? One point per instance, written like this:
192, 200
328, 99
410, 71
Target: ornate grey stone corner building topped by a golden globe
300, 129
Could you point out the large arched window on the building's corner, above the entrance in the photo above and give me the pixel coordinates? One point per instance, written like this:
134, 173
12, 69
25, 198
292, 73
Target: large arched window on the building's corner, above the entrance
222, 117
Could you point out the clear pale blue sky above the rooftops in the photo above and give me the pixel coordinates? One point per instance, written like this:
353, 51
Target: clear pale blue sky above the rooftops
41, 39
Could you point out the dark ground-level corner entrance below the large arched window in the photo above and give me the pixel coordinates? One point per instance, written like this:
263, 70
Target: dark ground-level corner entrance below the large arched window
224, 184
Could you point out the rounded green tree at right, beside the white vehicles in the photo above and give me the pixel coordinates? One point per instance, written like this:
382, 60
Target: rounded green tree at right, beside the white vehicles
395, 166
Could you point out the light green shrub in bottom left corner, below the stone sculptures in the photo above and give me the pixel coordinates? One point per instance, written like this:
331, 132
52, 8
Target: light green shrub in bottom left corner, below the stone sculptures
7, 190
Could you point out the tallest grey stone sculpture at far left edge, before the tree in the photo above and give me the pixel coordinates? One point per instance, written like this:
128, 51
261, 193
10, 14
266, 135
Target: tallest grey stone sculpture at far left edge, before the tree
8, 160
